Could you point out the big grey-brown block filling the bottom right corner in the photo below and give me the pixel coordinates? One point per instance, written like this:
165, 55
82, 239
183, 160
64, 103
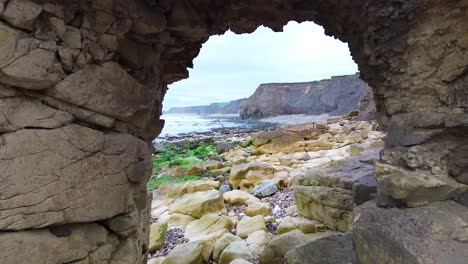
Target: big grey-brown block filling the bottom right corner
415, 235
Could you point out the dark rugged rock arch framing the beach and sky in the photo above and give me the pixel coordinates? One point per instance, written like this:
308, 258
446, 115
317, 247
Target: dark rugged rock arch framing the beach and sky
82, 85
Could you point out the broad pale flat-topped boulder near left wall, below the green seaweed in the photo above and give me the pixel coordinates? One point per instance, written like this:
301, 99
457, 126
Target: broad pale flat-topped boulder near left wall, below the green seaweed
198, 204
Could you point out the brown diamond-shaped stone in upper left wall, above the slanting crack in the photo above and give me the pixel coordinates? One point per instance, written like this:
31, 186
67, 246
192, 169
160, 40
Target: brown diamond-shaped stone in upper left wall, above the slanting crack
120, 95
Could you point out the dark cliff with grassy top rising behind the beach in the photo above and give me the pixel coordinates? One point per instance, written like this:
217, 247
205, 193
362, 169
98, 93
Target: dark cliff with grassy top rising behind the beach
335, 96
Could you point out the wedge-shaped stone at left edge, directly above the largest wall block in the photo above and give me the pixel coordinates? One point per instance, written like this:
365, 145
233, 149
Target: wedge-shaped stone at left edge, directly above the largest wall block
21, 112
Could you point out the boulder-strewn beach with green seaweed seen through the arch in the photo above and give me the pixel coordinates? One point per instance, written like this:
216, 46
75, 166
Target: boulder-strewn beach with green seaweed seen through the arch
269, 195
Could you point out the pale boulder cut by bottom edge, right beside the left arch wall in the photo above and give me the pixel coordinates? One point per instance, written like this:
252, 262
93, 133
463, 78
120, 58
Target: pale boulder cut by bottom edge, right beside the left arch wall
195, 252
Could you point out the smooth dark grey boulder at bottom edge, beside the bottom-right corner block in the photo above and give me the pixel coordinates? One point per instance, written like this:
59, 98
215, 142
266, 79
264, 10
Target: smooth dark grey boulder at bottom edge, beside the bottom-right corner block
333, 249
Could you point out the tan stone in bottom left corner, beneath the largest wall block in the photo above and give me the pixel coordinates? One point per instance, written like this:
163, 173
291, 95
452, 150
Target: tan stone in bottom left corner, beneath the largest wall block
77, 242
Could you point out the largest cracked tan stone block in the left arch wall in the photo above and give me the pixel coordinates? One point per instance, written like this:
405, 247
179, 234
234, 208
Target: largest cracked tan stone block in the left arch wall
59, 165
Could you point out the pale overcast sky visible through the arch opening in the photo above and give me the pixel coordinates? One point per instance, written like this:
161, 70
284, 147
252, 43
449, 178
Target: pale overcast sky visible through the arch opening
232, 66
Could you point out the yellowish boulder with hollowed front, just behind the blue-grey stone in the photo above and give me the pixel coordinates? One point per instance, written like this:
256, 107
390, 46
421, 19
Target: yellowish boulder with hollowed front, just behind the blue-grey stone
250, 174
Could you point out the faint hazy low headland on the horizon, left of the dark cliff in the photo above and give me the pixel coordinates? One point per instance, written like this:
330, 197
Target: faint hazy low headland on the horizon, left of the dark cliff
231, 107
